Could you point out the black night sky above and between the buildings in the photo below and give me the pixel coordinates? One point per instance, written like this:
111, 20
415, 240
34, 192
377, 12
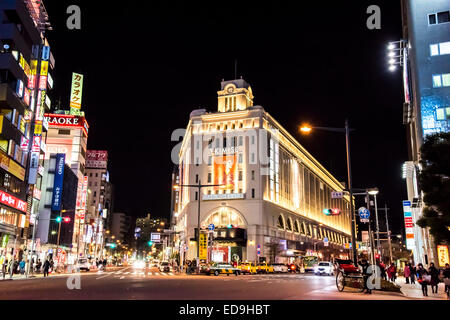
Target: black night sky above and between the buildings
148, 64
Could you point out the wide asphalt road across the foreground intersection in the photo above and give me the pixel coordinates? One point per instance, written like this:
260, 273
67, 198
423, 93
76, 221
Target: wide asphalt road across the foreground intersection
127, 283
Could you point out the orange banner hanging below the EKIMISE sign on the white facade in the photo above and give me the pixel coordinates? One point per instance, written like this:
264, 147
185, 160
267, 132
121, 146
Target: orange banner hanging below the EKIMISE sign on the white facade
224, 172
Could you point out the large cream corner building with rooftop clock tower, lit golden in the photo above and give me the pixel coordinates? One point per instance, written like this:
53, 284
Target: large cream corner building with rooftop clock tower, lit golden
270, 192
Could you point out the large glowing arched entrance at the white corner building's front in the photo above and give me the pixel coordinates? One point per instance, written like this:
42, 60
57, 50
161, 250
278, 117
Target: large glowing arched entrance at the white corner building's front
229, 238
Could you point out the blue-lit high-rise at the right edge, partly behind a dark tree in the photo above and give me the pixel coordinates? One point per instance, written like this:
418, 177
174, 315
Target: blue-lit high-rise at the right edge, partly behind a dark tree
424, 56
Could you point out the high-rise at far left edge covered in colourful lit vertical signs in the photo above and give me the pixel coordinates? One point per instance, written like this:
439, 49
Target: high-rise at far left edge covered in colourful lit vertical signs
25, 66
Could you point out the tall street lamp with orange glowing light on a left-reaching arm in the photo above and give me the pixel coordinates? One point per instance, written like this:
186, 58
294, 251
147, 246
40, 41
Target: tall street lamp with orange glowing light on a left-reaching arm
346, 130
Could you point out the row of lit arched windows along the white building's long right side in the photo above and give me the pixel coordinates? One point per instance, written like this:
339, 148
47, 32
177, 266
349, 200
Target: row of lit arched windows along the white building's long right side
308, 230
